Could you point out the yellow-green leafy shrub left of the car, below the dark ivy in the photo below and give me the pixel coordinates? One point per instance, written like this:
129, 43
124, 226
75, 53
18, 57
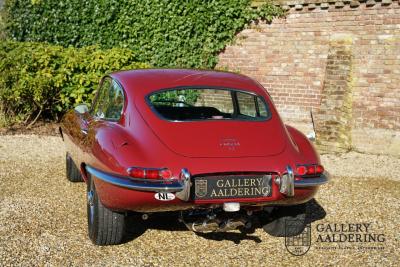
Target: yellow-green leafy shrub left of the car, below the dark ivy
45, 80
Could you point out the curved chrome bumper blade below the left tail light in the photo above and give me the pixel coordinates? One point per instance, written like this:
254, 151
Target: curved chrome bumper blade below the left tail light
138, 184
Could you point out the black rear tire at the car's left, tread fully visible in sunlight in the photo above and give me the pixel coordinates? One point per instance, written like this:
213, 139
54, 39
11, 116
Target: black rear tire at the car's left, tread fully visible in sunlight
105, 227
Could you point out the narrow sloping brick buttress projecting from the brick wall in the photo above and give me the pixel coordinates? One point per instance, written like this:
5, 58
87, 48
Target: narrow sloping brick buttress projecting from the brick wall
334, 117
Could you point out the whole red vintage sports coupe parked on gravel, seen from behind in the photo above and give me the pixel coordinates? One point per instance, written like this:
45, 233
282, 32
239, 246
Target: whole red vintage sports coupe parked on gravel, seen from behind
207, 144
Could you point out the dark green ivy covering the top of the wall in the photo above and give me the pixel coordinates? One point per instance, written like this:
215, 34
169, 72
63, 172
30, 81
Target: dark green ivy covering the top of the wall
166, 33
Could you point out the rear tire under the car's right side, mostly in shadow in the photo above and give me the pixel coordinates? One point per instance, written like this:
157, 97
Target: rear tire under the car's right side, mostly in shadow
276, 225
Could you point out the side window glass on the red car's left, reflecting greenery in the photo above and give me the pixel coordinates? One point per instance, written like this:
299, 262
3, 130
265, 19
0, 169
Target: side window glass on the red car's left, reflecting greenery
110, 101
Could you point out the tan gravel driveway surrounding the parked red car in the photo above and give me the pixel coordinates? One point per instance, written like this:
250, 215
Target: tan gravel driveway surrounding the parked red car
43, 218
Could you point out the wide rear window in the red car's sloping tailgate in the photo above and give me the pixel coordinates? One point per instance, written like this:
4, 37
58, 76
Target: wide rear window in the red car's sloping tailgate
208, 104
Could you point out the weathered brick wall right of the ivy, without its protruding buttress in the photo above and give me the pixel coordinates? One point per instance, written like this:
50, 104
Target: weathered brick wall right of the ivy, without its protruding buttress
289, 58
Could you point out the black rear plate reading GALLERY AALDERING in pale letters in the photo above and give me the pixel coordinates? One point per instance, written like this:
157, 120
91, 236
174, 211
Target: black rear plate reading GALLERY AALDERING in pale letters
232, 186
